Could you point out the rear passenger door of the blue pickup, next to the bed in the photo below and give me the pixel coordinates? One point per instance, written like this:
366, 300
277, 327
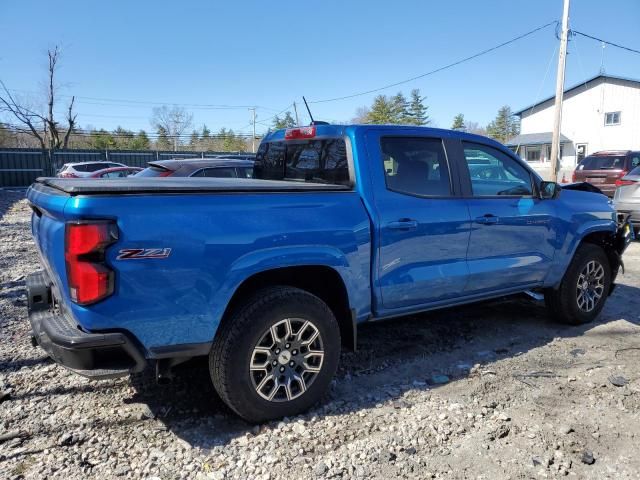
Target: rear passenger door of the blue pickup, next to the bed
422, 224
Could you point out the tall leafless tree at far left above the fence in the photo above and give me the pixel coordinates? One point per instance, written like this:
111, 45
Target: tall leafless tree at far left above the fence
43, 127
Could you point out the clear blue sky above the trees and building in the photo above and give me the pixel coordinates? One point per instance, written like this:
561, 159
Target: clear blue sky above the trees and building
122, 58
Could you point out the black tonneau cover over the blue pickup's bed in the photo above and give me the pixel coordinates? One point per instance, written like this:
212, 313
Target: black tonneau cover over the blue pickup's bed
133, 185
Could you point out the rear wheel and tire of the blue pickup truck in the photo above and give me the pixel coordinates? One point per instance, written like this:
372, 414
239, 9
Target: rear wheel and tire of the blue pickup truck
276, 355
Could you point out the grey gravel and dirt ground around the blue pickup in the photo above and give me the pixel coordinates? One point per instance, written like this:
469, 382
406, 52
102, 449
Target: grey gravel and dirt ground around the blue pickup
489, 391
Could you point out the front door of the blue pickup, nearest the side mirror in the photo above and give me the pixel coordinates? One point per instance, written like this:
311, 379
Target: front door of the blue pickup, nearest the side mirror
512, 235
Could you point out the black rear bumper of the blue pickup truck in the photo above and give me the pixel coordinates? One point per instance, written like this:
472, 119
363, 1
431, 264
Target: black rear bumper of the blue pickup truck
93, 355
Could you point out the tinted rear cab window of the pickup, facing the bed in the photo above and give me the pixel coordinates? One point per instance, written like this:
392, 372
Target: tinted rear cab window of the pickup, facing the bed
317, 161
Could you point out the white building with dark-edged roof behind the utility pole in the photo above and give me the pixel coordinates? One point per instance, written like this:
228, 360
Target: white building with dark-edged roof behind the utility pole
602, 113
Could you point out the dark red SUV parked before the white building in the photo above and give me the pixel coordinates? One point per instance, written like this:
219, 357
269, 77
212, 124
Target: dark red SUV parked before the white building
603, 169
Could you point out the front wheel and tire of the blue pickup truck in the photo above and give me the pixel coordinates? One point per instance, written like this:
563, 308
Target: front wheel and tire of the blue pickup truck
584, 288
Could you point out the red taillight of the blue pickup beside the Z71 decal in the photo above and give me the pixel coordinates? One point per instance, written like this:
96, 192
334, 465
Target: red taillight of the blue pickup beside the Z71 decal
88, 277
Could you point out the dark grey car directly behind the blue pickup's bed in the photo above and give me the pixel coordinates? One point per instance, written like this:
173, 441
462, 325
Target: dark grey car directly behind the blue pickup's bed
211, 167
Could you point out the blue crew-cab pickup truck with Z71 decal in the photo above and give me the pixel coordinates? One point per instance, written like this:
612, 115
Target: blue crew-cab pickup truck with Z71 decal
271, 276
